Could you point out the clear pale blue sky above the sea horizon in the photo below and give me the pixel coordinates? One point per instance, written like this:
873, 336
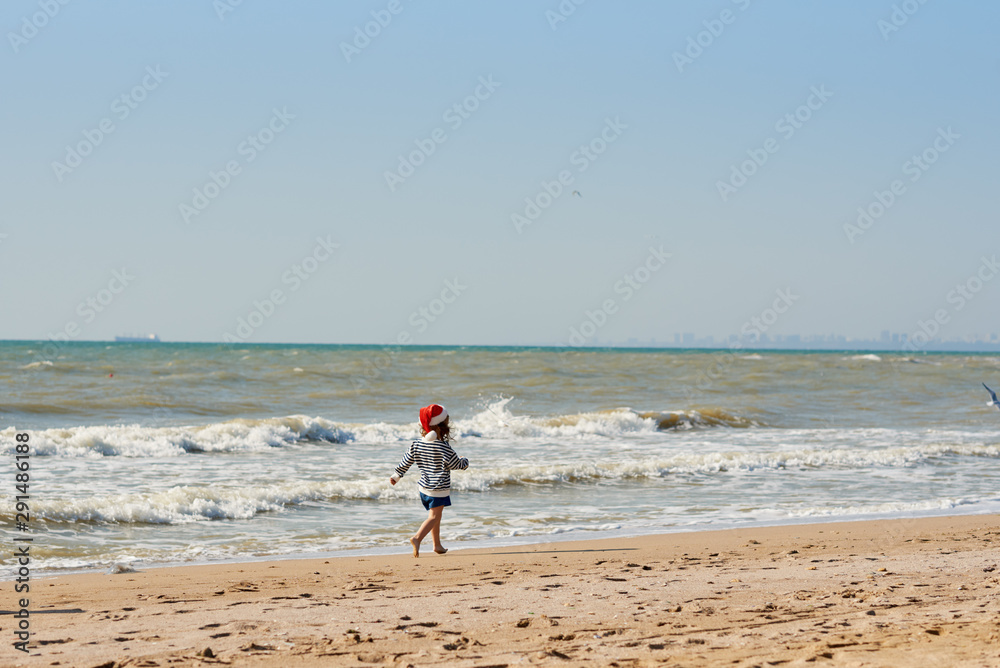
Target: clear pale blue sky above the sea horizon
679, 132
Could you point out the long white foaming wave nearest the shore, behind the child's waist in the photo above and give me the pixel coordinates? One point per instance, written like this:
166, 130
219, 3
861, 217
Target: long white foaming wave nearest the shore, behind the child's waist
193, 503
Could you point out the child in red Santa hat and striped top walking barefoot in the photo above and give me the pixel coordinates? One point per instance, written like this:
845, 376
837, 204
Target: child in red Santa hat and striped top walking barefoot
436, 460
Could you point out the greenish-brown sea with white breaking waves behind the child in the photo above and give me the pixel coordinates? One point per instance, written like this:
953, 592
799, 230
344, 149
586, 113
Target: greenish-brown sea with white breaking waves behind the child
156, 453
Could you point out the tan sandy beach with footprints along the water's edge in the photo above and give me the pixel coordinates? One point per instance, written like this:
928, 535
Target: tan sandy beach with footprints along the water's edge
888, 593
